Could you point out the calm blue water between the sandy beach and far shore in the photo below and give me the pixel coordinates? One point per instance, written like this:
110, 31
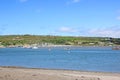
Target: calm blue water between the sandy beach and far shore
102, 59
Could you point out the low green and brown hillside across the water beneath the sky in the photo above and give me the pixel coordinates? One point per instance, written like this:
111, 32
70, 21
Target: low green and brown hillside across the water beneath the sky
7, 40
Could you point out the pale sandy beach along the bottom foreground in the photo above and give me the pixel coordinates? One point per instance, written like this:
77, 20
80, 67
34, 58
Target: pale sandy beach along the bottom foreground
20, 73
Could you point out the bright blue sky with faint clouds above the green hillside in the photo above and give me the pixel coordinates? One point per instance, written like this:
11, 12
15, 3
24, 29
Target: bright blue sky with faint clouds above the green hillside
93, 18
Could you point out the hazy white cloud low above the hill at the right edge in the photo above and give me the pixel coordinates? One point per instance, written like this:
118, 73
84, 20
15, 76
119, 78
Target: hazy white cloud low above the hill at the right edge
106, 32
